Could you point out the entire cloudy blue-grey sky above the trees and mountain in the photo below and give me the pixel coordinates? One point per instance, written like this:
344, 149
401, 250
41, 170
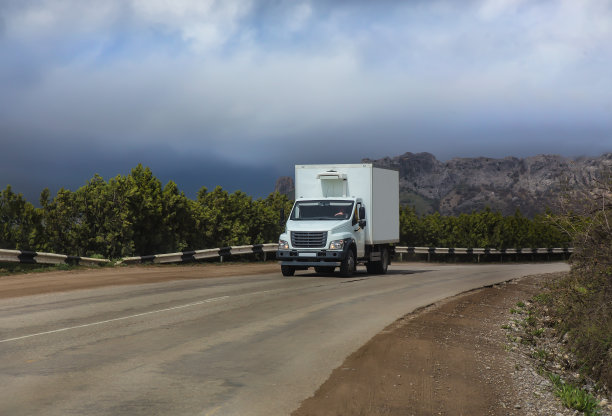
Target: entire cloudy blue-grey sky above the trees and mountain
235, 93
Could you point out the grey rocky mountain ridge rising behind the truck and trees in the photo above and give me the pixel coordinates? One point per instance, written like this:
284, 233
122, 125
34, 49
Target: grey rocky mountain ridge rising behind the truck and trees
463, 185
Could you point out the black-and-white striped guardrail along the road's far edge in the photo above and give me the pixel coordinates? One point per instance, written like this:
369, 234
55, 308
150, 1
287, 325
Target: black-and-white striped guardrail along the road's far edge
21, 256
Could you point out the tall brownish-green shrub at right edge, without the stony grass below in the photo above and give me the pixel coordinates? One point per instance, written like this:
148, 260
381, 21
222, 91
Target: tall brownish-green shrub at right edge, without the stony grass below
582, 301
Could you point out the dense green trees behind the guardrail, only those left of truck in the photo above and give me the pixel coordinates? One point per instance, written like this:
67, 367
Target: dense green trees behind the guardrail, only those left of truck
136, 215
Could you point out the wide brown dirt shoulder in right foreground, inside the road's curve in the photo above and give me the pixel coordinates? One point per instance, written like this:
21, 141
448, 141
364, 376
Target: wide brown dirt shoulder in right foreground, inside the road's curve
447, 359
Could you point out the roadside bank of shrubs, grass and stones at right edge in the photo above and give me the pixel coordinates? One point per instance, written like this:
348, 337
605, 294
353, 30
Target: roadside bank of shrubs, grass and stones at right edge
567, 327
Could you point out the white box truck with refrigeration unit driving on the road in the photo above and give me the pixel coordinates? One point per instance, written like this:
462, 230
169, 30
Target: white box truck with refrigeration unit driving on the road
343, 215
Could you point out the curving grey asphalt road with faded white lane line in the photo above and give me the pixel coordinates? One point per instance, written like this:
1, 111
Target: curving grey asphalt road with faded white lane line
252, 345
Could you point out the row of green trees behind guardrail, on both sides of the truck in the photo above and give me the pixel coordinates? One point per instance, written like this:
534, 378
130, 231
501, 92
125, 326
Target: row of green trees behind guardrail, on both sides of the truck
135, 215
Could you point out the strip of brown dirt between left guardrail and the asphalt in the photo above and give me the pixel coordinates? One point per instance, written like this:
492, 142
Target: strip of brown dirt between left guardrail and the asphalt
60, 281
